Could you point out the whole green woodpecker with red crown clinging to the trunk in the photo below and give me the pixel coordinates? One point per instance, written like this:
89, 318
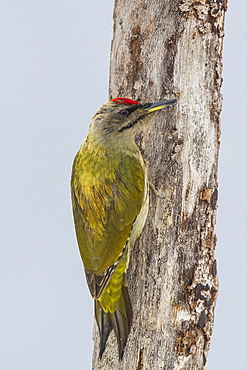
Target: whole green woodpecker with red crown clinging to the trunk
110, 203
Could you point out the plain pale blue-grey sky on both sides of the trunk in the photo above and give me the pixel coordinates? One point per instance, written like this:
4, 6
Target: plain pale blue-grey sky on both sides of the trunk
54, 58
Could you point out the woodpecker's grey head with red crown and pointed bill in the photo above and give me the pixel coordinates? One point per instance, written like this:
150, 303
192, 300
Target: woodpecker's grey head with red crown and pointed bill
122, 118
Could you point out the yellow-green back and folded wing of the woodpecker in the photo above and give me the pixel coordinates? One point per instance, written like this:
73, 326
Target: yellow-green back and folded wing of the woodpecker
107, 195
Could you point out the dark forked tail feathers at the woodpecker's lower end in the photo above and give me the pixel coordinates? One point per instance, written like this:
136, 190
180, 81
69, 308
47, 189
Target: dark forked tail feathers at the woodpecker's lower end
120, 320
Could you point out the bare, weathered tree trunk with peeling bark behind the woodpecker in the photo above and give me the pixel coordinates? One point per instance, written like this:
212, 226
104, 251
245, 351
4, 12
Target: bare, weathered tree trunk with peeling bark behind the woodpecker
166, 49
